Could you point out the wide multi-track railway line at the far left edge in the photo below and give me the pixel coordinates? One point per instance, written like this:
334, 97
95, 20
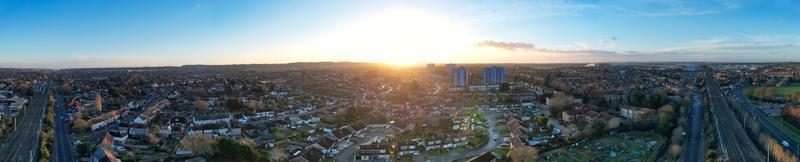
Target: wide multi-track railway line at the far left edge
23, 142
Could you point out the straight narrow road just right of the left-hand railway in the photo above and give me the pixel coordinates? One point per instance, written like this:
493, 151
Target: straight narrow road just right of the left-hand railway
63, 140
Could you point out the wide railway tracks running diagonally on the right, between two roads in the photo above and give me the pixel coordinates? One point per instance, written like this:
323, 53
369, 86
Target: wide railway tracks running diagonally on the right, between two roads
734, 142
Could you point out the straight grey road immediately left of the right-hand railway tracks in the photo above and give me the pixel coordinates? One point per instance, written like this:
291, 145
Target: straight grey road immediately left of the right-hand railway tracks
695, 143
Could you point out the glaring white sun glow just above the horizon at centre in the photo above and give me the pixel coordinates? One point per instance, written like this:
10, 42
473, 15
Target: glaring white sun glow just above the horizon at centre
401, 37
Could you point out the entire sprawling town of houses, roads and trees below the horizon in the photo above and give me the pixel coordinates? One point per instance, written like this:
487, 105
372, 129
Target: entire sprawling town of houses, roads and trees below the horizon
350, 111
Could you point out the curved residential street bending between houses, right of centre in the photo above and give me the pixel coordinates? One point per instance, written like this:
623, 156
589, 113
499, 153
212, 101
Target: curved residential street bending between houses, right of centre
493, 132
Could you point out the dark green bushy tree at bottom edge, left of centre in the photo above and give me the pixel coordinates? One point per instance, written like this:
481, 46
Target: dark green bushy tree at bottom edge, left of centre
227, 149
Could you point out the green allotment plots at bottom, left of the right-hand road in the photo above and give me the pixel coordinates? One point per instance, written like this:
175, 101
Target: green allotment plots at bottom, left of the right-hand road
611, 148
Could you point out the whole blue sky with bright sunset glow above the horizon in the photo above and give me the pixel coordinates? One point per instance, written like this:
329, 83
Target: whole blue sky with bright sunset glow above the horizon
134, 33
